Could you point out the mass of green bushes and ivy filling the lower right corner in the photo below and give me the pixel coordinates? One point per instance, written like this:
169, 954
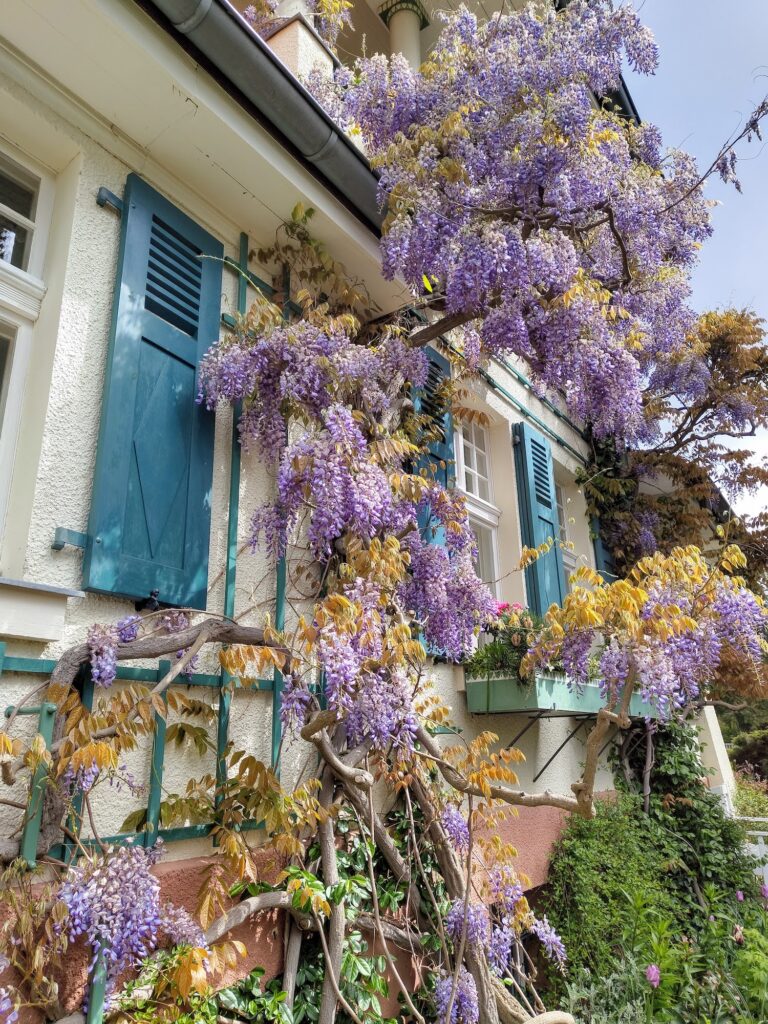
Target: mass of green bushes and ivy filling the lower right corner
672, 891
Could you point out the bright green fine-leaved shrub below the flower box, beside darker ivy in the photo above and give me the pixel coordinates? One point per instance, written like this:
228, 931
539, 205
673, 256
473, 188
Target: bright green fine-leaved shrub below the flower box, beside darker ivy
595, 866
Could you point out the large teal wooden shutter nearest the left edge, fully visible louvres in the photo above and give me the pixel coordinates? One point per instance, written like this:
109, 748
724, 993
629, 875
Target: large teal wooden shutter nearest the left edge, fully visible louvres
151, 510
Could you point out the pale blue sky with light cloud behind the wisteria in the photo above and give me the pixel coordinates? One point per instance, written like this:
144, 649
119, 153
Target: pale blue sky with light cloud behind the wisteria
713, 73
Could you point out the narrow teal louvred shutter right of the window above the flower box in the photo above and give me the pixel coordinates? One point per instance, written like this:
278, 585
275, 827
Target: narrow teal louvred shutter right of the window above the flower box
539, 519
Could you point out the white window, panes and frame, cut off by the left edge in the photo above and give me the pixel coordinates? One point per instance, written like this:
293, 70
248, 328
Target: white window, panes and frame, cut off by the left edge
26, 201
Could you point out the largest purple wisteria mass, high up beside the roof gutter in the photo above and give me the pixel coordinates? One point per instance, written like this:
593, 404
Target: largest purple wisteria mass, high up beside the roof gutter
556, 230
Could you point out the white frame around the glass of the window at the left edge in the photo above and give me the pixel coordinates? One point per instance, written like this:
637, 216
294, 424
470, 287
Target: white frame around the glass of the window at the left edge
22, 294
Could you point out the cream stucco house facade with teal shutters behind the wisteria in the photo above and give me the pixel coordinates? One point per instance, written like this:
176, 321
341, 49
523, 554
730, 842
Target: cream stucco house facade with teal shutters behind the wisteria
135, 139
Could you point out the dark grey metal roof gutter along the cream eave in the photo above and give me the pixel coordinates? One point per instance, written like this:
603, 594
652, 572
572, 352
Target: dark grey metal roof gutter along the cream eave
219, 32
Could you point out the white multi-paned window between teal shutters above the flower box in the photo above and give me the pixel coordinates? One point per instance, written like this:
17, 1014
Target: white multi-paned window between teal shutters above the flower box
474, 476
